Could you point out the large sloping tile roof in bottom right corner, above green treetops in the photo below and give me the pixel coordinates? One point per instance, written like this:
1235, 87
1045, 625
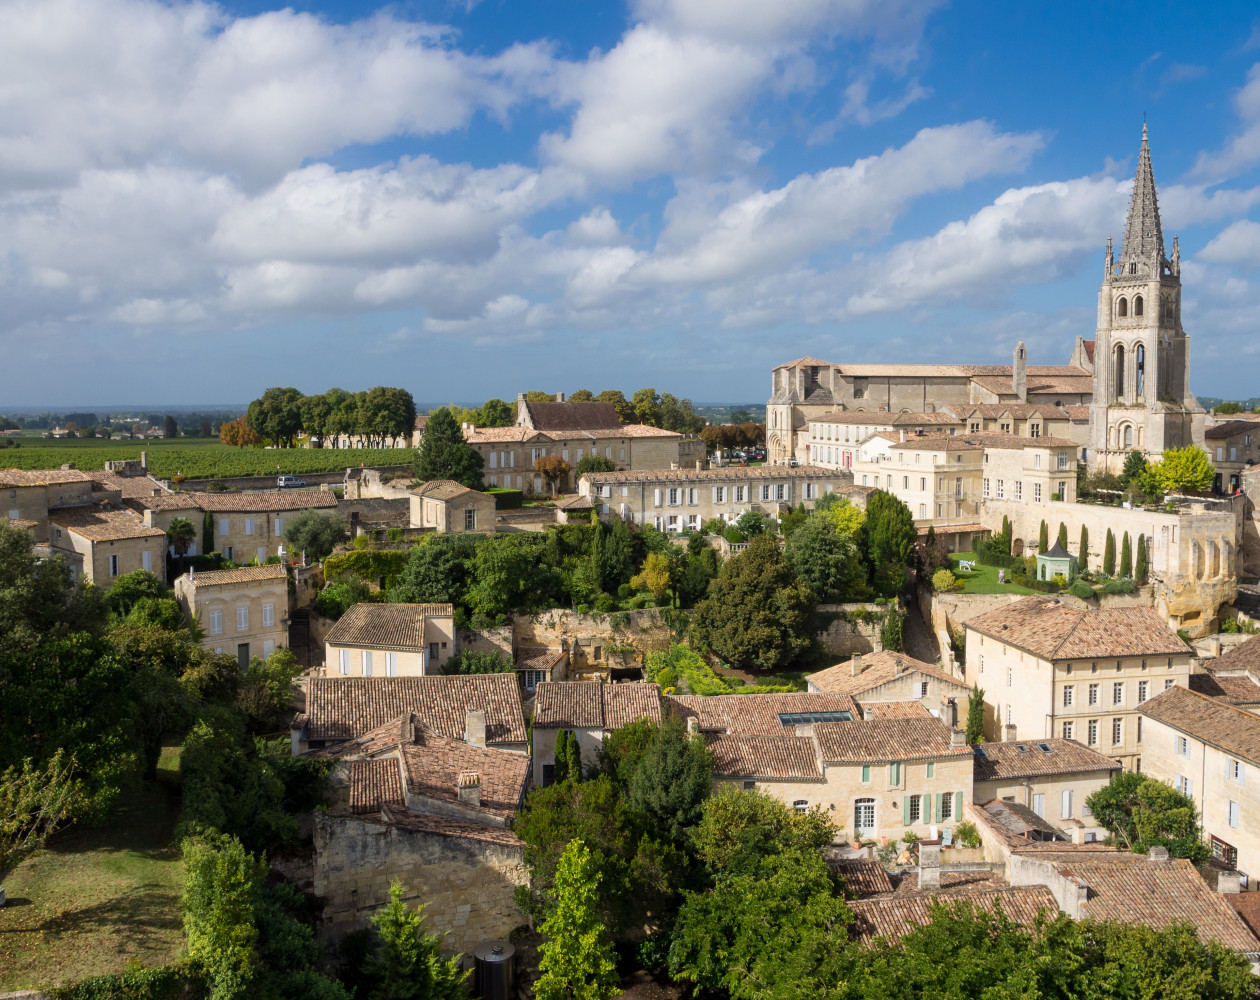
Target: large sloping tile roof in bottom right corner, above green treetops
1131, 889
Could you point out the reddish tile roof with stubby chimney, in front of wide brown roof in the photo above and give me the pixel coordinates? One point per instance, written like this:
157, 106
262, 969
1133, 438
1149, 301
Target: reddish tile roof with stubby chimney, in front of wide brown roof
433, 765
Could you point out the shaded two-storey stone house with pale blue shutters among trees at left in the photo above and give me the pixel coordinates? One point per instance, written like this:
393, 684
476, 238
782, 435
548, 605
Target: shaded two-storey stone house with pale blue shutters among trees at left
243, 611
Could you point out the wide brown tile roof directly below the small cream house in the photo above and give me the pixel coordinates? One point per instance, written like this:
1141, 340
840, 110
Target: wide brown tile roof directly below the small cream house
345, 708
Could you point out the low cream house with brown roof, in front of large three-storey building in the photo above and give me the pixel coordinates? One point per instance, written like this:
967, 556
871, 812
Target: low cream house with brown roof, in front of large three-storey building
1053, 778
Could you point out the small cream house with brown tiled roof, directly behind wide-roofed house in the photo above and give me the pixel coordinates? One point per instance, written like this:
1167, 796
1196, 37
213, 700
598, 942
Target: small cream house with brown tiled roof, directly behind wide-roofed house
391, 642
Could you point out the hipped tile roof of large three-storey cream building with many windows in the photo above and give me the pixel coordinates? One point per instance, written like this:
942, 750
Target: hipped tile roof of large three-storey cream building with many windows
1058, 632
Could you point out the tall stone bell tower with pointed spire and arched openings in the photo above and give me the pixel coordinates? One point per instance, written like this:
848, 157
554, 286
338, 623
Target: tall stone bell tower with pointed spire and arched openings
1142, 399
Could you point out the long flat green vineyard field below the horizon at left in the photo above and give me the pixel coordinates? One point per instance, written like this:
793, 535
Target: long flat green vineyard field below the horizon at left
196, 458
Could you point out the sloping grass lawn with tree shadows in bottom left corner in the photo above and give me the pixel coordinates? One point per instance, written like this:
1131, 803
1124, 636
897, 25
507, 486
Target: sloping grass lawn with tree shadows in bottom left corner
98, 900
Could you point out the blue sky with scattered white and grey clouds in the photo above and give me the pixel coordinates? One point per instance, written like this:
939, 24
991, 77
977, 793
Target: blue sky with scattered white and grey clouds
472, 200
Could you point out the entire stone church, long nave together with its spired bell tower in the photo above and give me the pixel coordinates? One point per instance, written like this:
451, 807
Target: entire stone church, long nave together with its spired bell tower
1133, 376
